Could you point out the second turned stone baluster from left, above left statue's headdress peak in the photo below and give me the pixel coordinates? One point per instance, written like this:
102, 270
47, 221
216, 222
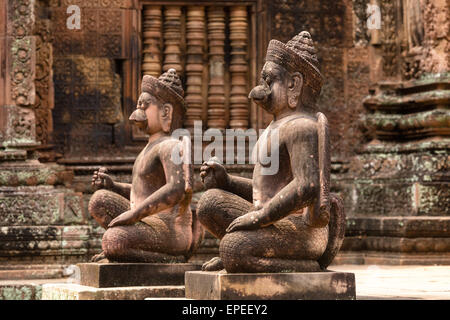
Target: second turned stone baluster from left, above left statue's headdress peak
172, 39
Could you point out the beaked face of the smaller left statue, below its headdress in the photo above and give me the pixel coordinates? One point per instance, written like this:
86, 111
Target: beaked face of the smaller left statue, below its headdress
146, 115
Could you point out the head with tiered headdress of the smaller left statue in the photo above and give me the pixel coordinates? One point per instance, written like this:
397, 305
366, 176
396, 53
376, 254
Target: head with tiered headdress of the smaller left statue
160, 106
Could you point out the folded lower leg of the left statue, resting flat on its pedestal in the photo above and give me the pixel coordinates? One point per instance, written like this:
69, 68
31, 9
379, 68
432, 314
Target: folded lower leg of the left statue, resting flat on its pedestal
140, 243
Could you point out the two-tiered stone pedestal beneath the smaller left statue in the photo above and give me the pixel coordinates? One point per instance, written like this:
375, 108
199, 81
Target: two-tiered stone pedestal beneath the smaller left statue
123, 281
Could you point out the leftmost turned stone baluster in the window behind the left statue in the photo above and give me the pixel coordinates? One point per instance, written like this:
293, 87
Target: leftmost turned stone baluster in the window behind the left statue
152, 32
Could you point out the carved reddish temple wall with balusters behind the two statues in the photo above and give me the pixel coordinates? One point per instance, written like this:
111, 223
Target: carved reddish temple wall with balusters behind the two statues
66, 95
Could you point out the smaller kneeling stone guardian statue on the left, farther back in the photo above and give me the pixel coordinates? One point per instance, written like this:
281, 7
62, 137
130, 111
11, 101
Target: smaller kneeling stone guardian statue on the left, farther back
150, 220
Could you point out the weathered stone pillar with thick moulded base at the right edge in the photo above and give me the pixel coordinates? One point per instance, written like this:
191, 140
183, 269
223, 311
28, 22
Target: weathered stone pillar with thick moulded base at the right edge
398, 198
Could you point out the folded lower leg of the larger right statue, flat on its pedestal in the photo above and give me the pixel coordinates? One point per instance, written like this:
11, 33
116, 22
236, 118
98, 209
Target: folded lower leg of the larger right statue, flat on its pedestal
289, 245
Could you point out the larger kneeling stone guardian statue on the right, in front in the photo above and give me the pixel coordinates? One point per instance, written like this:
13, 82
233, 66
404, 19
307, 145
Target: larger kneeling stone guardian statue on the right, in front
287, 221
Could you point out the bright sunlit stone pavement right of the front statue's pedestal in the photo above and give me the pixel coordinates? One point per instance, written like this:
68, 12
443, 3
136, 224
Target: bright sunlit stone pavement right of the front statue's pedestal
399, 282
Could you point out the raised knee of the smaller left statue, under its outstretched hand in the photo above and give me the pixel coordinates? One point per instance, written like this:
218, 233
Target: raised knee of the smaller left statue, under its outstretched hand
105, 205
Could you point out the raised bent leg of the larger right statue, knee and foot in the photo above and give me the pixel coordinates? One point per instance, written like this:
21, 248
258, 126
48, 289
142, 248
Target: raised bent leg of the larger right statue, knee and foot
216, 209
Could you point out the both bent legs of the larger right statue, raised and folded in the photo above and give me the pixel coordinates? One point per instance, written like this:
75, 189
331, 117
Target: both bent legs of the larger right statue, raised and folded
287, 245
